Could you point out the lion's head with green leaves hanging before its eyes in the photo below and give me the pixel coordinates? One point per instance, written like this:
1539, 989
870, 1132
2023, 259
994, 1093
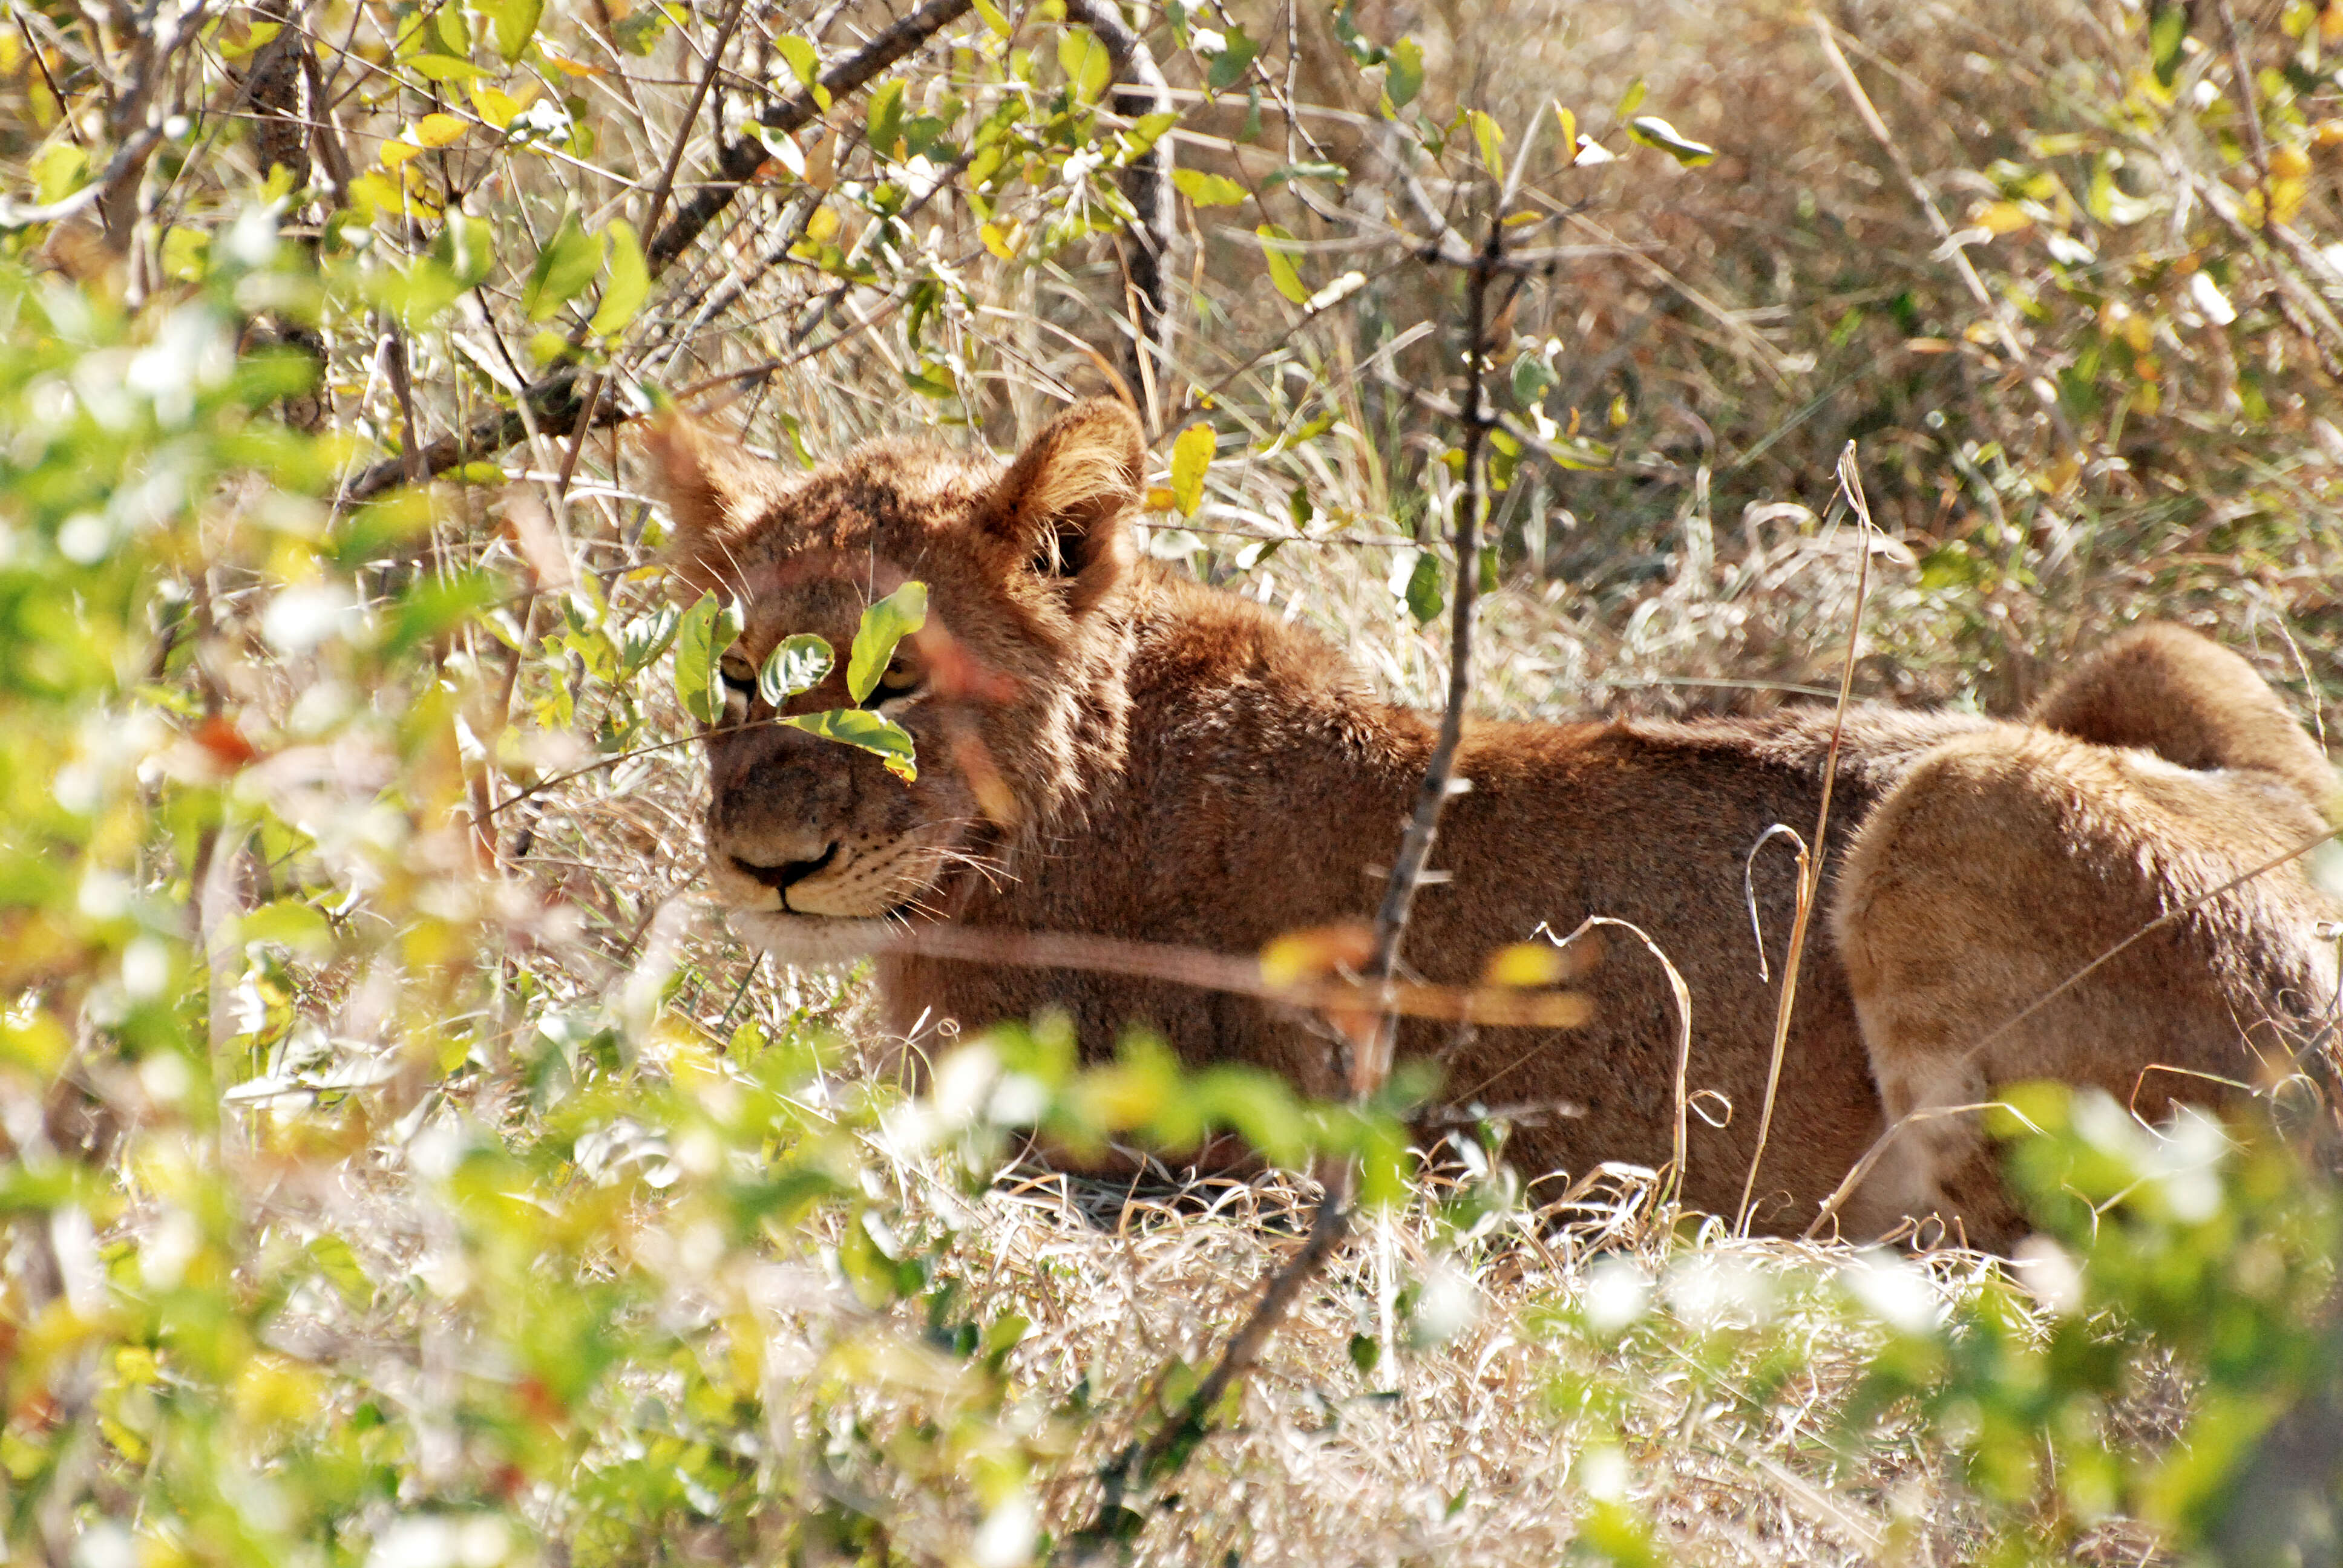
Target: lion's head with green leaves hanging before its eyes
1013, 690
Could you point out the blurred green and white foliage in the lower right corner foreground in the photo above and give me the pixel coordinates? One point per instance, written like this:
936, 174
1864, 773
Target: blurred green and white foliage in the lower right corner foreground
2164, 1351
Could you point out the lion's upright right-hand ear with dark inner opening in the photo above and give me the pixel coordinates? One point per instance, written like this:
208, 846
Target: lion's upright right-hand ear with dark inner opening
1065, 500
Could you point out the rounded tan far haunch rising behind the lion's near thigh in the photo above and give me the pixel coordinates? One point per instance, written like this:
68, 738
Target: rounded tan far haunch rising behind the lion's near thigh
2190, 702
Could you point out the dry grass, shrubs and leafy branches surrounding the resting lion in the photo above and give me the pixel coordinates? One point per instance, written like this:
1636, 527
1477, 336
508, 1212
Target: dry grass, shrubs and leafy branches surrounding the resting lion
407, 1168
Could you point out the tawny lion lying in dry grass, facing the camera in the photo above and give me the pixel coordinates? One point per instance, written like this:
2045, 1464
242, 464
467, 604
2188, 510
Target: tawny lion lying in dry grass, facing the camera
1107, 746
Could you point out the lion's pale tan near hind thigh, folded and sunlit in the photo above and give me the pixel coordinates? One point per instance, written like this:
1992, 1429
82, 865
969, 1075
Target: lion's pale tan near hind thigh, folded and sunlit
1986, 889
